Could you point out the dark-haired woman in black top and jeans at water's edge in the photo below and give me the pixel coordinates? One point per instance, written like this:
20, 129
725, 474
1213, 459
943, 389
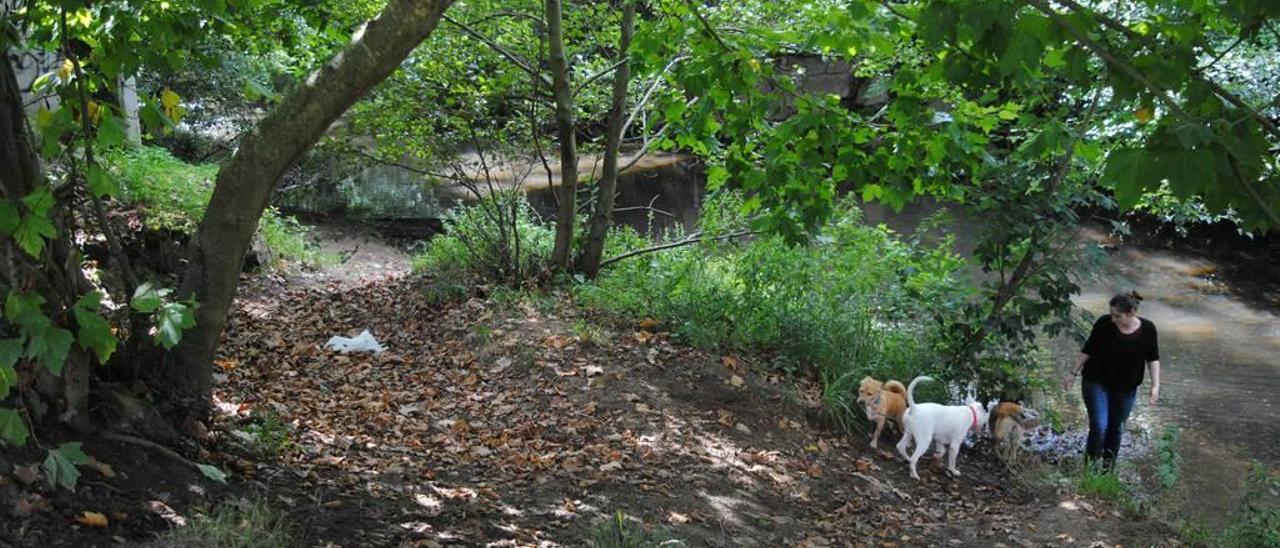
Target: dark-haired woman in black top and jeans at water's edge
1121, 348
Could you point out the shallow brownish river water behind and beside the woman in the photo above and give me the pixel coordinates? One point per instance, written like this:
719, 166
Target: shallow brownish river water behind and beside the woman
1220, 369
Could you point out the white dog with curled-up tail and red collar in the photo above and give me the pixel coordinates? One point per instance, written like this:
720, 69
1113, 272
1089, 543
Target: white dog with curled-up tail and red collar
945, 426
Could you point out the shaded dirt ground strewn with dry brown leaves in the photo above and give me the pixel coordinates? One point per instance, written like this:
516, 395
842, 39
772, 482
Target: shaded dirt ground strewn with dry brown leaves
495, 423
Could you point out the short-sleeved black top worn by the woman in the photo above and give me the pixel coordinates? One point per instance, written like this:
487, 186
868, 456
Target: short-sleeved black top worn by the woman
1119, 360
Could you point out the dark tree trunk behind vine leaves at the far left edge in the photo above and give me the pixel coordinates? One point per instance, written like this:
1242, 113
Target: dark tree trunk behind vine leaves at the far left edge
56, 276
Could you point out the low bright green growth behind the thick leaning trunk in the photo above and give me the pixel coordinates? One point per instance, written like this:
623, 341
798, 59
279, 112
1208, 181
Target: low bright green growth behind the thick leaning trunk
173, 197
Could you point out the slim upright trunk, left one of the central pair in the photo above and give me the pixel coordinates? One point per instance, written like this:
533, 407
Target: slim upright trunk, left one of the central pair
568, 191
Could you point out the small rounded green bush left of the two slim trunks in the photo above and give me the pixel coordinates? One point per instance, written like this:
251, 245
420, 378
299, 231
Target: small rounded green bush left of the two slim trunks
500, 239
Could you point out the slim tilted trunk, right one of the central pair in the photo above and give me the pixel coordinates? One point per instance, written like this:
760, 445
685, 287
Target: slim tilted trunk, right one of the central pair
604, 216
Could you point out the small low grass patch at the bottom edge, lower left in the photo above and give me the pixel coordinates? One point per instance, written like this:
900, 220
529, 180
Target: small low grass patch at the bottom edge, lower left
240, 524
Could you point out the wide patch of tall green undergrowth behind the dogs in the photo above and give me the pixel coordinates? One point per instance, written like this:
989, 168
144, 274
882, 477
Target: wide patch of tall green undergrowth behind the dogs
858, 302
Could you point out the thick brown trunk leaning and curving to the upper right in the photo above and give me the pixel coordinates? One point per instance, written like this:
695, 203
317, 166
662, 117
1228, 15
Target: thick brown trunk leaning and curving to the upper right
246, 181
